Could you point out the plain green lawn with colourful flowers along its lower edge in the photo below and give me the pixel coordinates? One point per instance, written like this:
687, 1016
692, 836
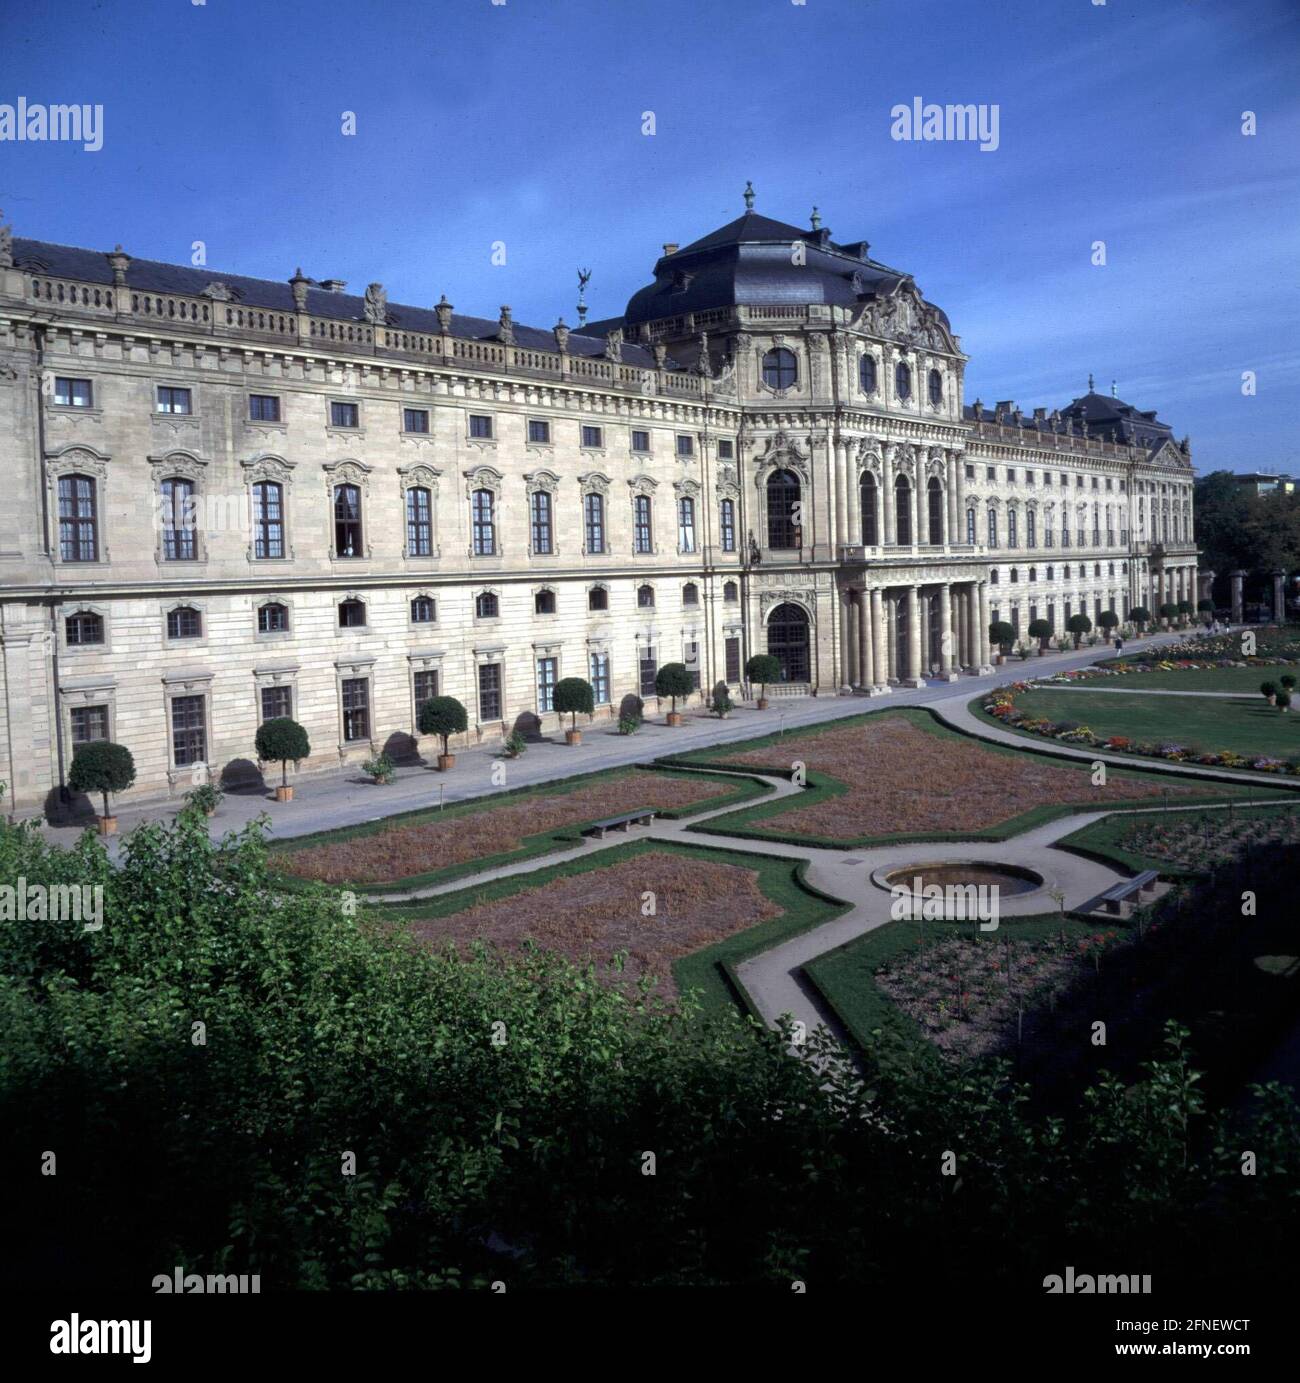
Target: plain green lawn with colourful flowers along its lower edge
1248, 727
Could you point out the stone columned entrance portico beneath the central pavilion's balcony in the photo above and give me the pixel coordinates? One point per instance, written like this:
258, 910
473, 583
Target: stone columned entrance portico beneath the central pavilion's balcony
900, 634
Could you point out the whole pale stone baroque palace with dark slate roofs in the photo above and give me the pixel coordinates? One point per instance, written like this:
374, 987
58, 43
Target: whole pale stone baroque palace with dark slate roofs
230, 499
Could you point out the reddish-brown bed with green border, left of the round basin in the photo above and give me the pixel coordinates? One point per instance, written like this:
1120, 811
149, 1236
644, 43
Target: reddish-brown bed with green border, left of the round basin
713, 909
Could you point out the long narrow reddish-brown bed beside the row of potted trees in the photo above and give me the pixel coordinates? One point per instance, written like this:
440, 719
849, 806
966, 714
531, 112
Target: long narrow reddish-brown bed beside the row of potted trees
431, 847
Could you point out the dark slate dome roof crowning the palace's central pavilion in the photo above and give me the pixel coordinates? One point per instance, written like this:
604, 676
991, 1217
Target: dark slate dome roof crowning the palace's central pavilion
749, 262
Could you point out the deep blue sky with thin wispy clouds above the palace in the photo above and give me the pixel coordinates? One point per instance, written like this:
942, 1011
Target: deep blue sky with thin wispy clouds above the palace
522, 122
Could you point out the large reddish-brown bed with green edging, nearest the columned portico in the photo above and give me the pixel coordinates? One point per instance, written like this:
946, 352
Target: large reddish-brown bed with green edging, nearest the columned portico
902, 777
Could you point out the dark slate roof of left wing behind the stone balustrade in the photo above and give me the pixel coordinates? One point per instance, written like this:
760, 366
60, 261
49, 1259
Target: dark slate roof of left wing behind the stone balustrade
158, 277
